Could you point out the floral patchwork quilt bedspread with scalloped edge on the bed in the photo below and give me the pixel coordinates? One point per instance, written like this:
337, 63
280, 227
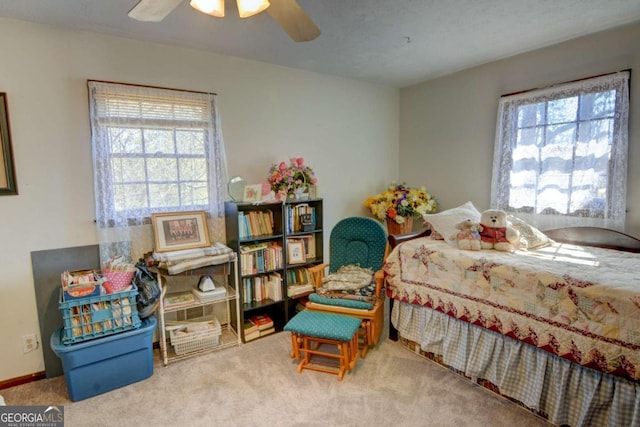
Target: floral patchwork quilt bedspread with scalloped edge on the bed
580, 303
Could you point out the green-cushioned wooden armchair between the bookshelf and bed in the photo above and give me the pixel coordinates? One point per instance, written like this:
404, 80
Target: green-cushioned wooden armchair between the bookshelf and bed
355, 241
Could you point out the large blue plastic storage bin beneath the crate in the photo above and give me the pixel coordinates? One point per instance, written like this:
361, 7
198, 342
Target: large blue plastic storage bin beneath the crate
104, 364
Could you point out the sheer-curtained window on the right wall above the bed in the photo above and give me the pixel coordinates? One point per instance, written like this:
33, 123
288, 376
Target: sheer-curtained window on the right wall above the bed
561, 153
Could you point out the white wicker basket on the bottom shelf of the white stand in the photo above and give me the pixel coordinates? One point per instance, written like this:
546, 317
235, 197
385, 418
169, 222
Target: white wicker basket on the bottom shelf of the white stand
197, 335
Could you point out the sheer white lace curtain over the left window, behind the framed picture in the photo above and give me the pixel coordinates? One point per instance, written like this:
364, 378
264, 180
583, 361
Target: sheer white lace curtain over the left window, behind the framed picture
154, 150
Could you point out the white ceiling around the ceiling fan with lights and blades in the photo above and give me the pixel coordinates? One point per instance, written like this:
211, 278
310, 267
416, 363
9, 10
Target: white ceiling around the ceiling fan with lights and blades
389, 42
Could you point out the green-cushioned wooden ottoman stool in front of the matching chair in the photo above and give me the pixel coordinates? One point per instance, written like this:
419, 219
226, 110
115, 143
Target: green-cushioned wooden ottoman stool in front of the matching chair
310, 329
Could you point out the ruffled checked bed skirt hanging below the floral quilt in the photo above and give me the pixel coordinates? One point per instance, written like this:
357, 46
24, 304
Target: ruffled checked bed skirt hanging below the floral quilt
547, 385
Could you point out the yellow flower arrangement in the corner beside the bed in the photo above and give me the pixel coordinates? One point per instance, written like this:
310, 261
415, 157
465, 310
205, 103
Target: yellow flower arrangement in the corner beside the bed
398, 202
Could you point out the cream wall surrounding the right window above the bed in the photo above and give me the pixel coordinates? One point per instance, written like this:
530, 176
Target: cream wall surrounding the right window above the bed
447, 126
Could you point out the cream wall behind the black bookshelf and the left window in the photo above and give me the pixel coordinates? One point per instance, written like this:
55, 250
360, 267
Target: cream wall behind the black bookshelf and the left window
347, 131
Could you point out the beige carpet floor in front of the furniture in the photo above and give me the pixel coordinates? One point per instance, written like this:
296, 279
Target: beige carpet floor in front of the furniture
257, 384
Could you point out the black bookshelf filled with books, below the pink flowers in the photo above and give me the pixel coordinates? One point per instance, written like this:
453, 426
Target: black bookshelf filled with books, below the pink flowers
262, 235
